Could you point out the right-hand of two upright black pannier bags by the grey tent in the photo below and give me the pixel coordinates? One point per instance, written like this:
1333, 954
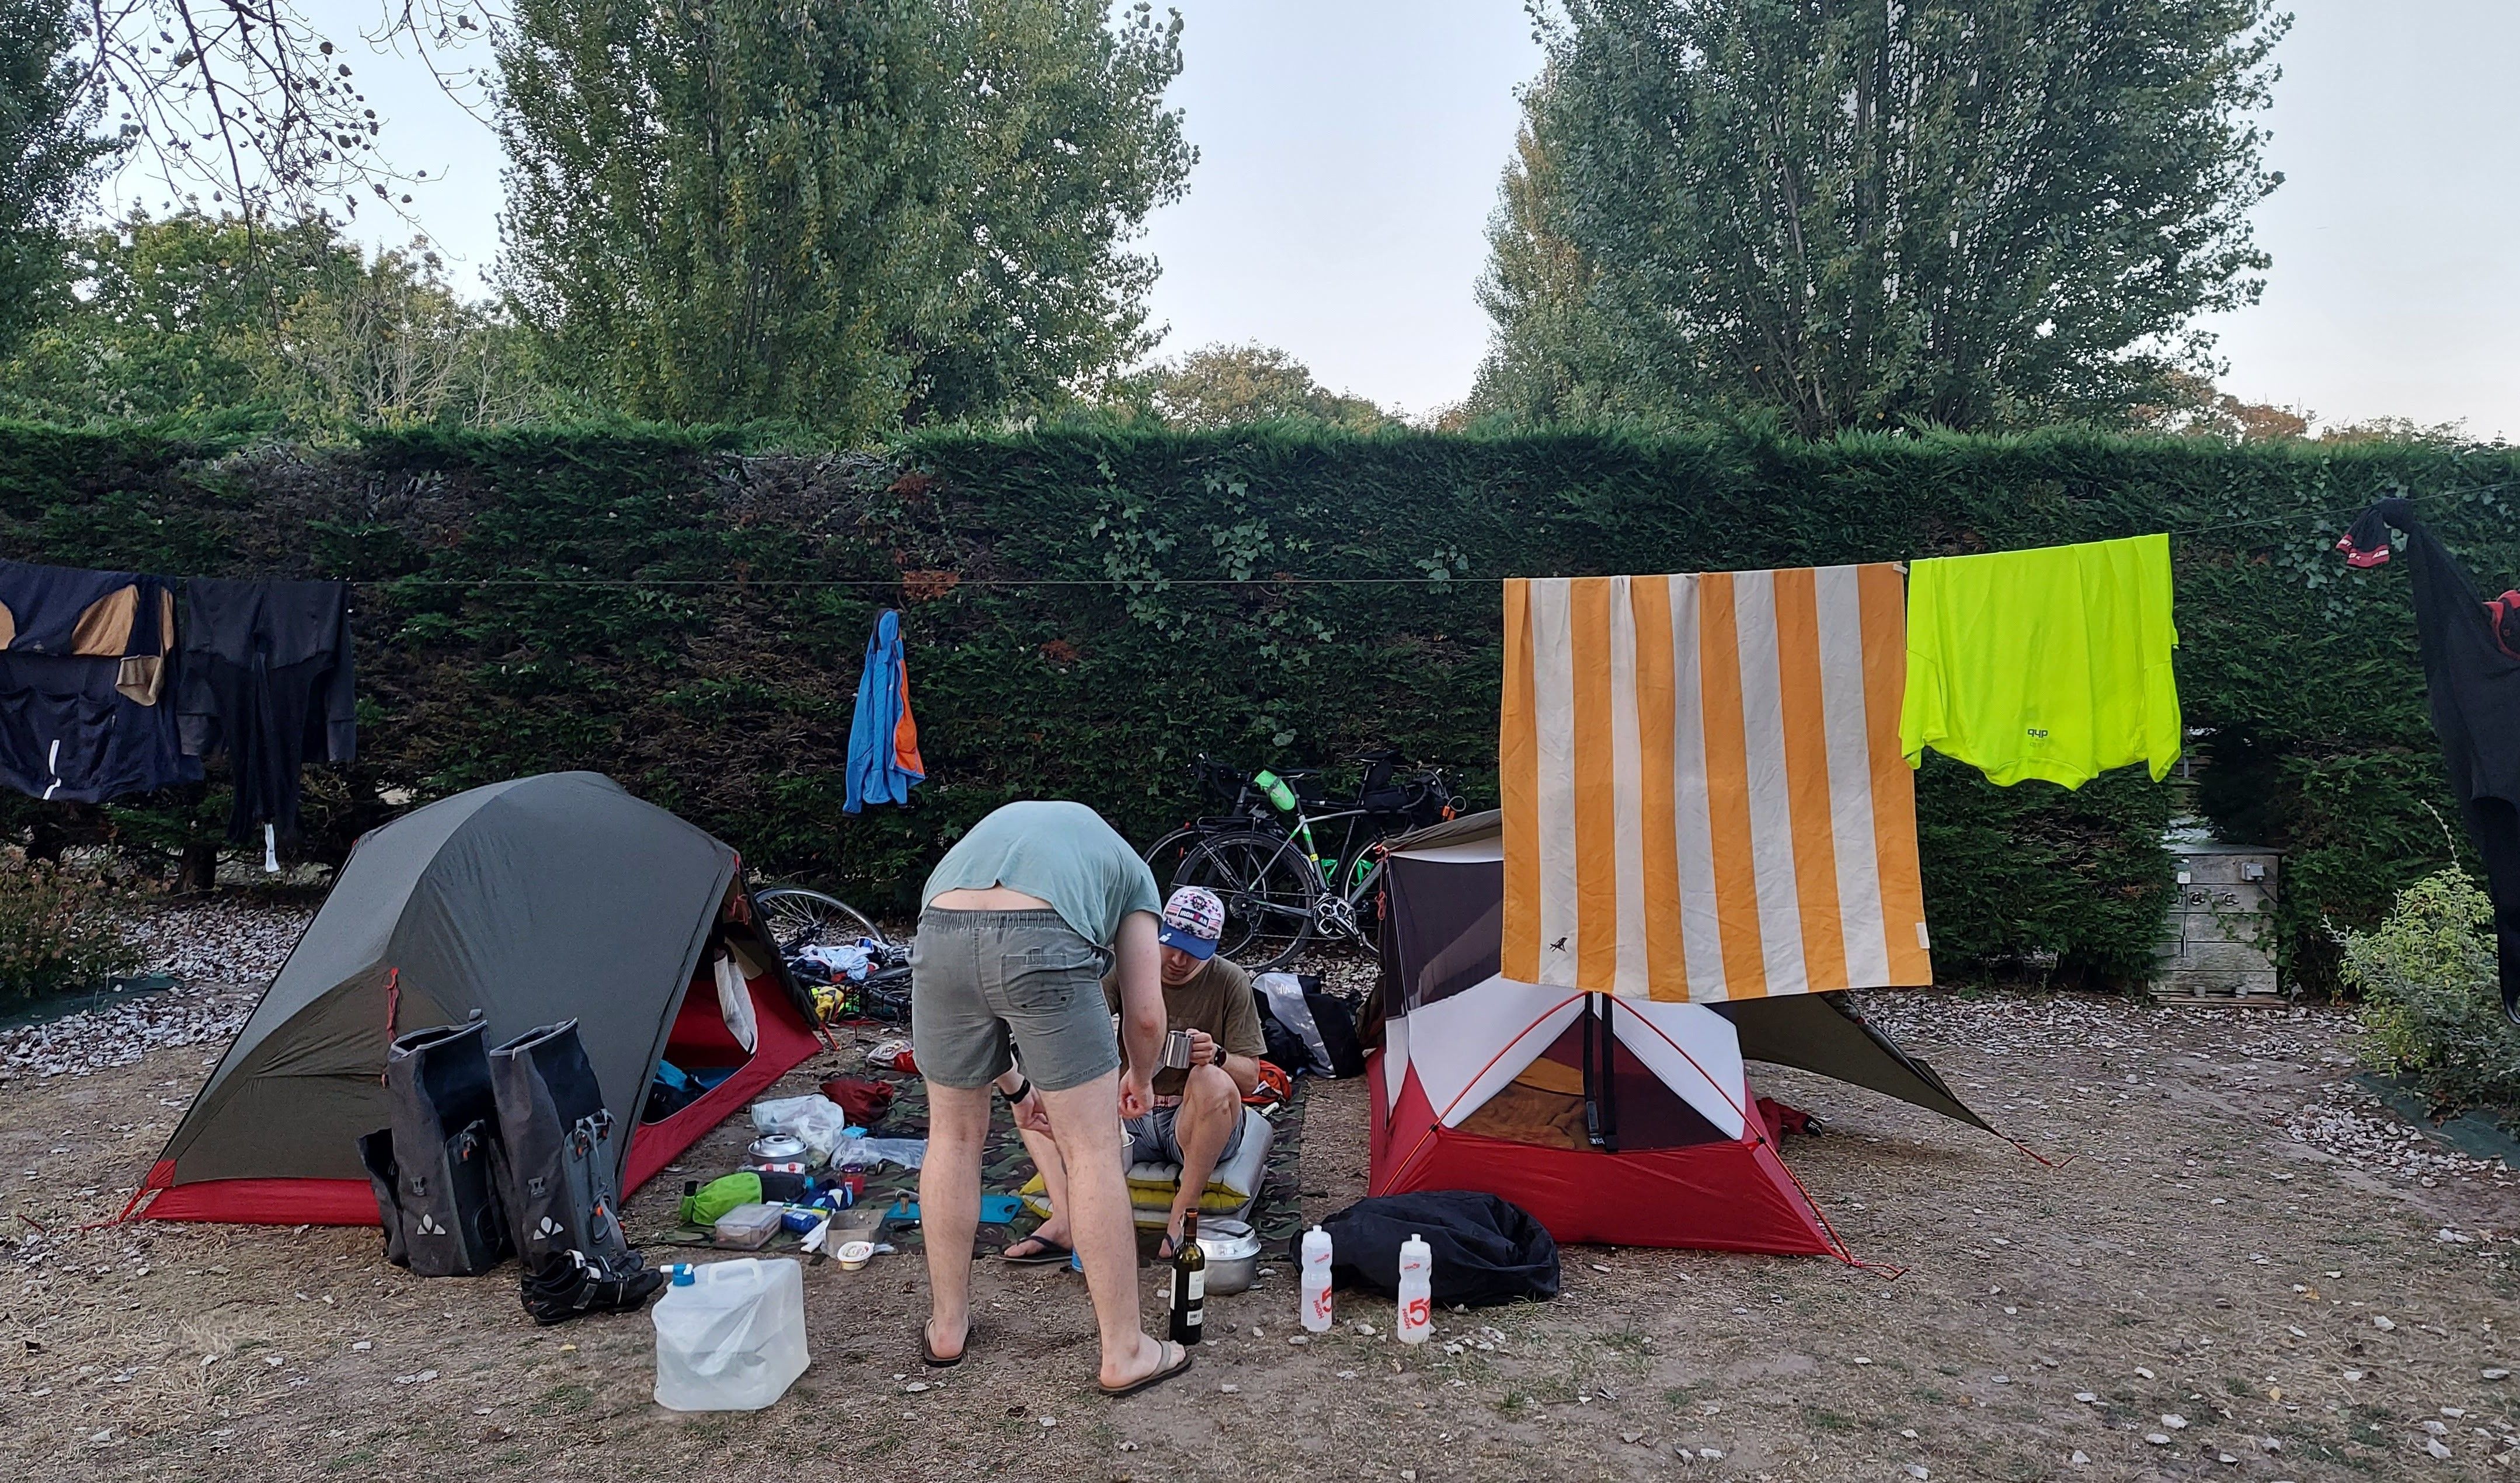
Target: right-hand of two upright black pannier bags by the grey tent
561, 1185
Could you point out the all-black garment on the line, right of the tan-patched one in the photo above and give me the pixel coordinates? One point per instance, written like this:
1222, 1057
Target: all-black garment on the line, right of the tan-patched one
268, 679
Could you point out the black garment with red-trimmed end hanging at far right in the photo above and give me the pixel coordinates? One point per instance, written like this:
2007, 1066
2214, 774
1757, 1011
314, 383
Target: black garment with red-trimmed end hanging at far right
2473, 681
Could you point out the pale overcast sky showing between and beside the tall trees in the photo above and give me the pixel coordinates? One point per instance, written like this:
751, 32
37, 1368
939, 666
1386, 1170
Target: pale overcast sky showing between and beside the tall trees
1349, 160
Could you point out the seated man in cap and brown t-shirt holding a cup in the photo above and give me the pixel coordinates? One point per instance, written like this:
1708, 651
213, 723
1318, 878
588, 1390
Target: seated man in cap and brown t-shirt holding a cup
1198, 1112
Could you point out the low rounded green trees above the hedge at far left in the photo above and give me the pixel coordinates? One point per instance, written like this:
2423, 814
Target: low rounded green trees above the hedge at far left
193, 313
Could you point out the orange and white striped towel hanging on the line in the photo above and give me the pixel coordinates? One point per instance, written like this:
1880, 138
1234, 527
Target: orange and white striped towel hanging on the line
1705, 794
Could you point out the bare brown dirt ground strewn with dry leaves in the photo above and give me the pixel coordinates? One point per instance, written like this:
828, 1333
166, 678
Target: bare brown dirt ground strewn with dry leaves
2239, 1270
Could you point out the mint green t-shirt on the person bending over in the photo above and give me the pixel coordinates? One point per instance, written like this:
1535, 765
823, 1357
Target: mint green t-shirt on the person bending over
1060, 852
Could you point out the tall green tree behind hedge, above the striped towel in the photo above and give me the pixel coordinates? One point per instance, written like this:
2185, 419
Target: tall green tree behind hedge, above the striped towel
1869, 213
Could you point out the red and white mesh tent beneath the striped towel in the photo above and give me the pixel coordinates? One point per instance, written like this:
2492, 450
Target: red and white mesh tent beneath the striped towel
1609, 1119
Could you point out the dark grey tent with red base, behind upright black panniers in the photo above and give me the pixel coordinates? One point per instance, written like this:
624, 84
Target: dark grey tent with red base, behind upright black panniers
528, 903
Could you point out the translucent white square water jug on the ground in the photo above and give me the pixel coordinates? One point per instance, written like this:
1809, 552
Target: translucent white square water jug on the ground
730, 1336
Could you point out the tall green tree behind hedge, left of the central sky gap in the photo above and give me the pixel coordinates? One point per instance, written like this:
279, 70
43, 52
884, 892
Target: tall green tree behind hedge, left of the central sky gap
843, 215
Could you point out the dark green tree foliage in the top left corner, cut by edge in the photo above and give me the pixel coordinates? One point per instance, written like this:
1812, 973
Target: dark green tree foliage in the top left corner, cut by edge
49, 157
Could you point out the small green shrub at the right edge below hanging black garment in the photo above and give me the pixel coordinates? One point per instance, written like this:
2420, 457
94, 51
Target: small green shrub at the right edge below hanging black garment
2431, 993
